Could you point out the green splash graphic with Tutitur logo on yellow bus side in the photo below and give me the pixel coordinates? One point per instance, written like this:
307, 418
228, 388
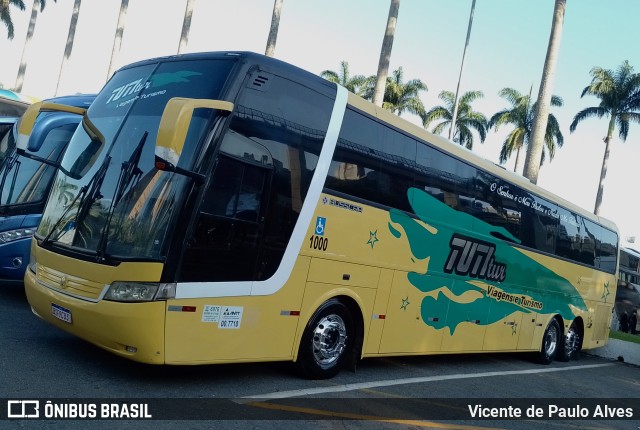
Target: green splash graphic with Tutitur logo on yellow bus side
477, 264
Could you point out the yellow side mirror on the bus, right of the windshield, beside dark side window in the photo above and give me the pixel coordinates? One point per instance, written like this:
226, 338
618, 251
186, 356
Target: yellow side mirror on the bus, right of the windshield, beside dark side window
173, 129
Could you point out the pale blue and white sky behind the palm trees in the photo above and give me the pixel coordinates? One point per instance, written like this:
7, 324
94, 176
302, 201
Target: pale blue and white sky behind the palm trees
507, 48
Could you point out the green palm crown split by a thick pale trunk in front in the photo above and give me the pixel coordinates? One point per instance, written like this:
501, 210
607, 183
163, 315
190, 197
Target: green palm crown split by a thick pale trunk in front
521, 115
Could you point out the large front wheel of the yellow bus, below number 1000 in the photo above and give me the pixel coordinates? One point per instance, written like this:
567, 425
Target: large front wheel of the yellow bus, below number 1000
326, 341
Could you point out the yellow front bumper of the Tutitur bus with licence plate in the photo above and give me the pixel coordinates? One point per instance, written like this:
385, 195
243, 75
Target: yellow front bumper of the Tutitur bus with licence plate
131, 330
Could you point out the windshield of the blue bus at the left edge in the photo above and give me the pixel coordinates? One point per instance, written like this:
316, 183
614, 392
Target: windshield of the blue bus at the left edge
24, 180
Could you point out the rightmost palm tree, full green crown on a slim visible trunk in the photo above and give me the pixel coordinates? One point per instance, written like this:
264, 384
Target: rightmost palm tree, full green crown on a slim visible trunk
619, 94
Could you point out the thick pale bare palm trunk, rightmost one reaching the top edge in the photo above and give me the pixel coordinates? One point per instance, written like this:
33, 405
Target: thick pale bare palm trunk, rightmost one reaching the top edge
534, 153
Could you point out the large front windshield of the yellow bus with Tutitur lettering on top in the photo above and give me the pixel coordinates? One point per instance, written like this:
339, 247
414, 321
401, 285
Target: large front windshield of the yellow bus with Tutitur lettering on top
108, 197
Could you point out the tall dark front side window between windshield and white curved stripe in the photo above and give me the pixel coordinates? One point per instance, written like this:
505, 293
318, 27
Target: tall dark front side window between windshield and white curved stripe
265, 164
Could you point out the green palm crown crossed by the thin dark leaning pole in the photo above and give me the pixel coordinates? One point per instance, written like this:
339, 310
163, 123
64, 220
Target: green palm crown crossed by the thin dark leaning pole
465, 120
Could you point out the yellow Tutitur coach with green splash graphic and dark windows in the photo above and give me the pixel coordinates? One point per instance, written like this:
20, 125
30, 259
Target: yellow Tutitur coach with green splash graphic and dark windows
229, 207
